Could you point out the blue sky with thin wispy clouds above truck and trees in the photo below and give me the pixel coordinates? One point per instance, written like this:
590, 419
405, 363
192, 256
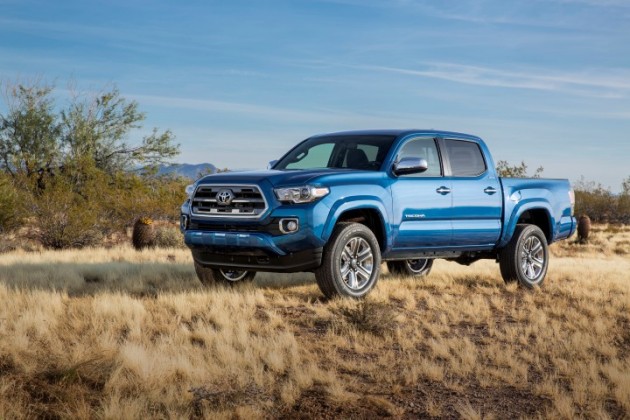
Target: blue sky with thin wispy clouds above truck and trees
544, 81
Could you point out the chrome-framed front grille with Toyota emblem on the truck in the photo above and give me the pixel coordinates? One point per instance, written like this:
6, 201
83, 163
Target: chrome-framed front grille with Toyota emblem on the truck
246, 201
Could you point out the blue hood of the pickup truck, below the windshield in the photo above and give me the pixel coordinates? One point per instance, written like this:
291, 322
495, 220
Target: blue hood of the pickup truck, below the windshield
276, 178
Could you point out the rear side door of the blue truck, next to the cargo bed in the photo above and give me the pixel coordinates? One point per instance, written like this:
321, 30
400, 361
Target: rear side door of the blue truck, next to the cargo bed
476, 192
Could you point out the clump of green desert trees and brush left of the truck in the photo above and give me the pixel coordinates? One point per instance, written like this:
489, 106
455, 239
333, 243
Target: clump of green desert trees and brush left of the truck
71, 168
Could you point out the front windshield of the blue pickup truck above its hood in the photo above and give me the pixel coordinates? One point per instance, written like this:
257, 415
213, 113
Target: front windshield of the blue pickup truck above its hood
346, 151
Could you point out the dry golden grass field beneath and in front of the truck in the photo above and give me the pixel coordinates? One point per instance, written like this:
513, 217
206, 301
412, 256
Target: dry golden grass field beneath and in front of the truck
123, 334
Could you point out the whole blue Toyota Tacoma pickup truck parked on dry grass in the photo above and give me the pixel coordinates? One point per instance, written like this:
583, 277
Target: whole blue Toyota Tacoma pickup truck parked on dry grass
340, 204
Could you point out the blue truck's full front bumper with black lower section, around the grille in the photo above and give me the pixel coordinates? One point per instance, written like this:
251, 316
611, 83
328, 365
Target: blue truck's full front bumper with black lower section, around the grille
259, 244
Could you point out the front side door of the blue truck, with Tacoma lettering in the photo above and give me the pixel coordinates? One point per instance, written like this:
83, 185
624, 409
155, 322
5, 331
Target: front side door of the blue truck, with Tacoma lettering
421, 202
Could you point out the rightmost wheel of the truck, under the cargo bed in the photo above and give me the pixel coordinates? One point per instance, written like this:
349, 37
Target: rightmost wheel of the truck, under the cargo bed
526, 257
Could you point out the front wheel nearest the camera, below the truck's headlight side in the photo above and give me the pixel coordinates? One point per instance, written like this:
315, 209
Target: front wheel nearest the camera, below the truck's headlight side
351, 262
